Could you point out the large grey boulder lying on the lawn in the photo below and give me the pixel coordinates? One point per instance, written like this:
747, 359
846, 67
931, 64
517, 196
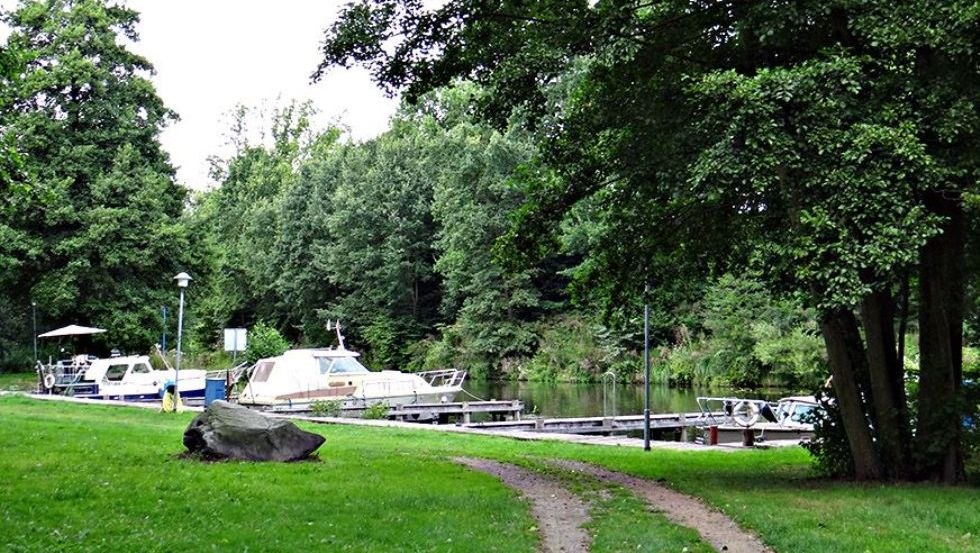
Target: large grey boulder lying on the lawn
230, 431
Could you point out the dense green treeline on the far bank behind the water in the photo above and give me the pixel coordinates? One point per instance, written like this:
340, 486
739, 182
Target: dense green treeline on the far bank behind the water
396, 236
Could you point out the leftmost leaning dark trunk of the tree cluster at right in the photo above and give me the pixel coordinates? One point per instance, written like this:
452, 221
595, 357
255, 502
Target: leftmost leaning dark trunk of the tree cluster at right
841, 336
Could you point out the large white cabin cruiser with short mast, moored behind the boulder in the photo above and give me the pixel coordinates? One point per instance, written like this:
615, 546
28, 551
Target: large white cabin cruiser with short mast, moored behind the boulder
300, 377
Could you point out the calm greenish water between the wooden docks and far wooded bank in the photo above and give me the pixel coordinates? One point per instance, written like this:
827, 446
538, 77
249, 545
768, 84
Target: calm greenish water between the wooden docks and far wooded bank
564, 399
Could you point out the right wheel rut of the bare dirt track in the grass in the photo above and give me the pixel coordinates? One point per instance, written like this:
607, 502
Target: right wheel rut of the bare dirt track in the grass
715, 527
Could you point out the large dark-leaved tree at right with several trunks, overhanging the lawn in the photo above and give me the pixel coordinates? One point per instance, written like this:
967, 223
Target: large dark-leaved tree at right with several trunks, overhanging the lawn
826, 145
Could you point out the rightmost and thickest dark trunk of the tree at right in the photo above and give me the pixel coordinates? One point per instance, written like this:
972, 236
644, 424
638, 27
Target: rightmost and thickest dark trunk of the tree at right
941, 297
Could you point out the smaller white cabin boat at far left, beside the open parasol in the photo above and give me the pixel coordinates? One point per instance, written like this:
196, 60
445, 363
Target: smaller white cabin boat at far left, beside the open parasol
127, 378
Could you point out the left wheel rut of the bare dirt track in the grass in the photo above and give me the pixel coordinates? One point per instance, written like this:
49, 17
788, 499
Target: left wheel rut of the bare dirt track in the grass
559, 513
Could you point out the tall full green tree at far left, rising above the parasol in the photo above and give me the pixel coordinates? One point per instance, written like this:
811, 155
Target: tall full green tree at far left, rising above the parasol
97, 235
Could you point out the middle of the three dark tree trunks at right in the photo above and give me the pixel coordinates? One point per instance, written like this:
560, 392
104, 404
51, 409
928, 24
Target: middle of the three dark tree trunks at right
887, 385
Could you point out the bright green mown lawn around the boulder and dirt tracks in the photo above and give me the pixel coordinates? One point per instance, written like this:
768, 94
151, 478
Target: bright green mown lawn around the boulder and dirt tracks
100, 478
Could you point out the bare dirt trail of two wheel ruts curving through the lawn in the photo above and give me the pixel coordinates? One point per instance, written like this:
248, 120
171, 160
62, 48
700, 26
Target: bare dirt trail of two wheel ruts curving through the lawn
561, 514
